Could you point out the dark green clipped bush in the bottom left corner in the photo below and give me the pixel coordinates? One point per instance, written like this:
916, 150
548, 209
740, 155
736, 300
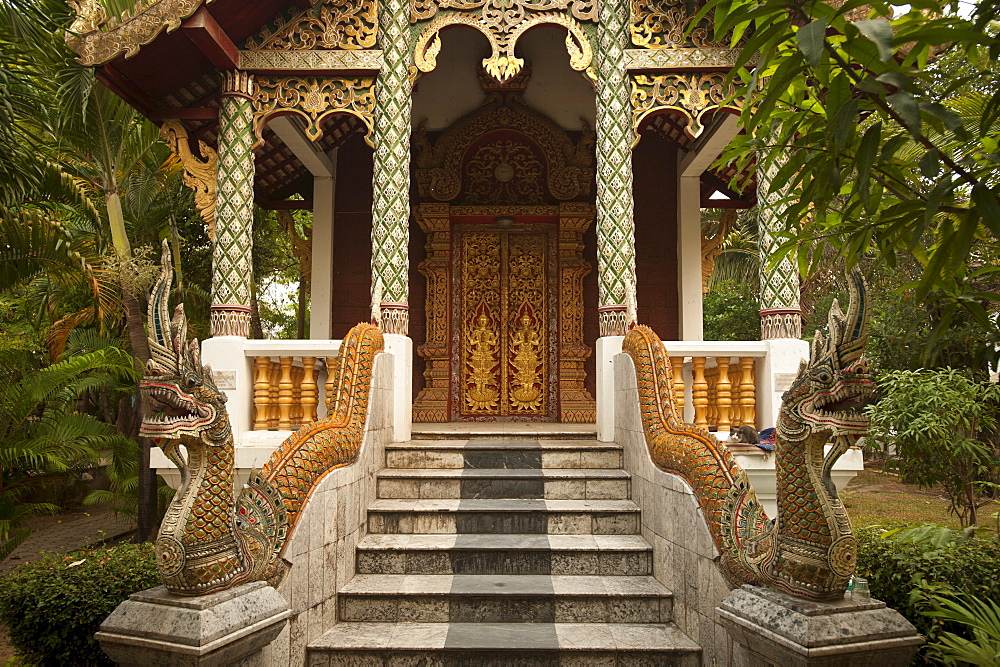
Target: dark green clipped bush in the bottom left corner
53, 606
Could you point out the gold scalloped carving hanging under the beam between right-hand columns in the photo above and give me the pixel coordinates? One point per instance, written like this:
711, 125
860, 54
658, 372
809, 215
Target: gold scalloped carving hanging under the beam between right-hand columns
690, 95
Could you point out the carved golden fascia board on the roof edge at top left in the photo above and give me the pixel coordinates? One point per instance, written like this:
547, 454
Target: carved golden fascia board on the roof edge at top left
96, 39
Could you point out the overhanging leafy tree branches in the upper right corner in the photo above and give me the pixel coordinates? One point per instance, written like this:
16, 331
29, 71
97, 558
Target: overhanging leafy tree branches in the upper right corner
872, 148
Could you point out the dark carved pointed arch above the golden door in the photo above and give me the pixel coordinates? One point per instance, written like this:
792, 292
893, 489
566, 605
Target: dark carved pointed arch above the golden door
504, 126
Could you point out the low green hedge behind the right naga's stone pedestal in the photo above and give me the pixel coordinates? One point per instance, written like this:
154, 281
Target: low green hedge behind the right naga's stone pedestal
908, 572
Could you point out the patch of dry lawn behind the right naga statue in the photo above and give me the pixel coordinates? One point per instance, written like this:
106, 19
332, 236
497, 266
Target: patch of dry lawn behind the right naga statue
875, 497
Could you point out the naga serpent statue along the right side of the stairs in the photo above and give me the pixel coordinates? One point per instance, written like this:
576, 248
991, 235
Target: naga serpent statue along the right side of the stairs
810, 549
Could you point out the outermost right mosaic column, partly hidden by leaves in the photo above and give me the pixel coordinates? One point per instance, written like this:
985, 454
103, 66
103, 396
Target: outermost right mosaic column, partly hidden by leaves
780, 315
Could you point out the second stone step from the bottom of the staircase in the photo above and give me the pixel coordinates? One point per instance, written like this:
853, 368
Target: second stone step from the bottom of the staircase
442, 598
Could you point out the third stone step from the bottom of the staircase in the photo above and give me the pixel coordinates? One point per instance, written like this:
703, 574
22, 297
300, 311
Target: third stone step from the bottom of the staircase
612, 555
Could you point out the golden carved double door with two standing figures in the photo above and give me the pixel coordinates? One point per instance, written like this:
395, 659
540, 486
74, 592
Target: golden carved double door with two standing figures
502, 358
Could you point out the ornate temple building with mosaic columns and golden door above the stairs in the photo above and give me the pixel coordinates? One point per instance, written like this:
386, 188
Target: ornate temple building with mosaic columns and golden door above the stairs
508, 188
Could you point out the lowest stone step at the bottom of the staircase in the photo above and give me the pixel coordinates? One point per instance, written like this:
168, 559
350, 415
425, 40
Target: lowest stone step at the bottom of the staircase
503, 644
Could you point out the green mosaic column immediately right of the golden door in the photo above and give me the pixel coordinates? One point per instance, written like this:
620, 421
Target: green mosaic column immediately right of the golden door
615, 225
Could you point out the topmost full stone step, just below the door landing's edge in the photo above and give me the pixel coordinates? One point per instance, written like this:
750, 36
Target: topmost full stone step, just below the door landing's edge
499, 453
